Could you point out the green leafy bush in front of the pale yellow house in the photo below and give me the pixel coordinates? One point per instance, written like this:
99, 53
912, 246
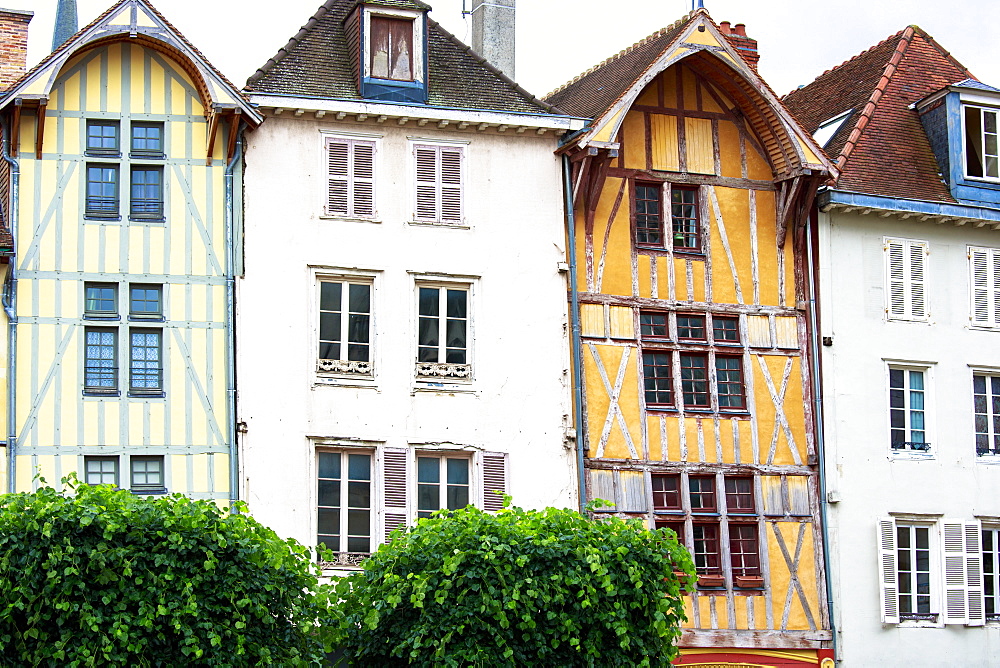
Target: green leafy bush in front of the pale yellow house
102, 577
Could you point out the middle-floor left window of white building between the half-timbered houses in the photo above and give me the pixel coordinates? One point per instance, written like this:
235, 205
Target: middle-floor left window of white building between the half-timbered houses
345, 327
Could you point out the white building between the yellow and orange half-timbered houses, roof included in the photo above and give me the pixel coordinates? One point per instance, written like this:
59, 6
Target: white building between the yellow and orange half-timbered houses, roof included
403, 343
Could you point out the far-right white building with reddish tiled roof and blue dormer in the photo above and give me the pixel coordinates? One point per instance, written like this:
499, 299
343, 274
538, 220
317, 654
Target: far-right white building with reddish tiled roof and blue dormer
908, 263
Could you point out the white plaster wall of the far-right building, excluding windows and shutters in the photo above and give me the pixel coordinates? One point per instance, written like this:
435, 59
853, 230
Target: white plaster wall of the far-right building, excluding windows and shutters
862, 472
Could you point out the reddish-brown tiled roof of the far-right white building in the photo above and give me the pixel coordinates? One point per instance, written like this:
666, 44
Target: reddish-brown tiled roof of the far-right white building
883, 149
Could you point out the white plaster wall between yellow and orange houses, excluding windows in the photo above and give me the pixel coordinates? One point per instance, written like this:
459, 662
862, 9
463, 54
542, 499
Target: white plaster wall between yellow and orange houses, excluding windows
519, 402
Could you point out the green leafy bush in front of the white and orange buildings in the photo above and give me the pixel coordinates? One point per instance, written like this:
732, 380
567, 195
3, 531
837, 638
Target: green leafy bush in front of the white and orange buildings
519, 588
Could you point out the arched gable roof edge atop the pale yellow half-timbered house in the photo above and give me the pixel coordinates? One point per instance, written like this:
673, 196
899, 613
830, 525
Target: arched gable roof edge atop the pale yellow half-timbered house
138, 21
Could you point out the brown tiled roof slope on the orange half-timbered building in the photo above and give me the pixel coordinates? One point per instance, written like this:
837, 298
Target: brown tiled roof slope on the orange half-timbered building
597, 89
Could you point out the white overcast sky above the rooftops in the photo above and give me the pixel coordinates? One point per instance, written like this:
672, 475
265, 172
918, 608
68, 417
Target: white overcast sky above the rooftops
558, 39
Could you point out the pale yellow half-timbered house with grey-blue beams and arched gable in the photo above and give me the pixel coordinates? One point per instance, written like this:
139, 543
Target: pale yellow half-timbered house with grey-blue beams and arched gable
124, 165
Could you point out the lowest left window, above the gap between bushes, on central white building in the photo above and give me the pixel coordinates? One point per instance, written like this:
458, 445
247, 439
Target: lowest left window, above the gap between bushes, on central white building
345, 501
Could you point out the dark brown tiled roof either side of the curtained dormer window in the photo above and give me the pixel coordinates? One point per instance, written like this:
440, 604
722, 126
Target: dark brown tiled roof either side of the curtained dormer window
317, 63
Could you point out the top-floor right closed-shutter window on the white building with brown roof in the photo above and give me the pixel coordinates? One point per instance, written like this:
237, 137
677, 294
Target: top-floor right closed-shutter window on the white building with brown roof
439, 184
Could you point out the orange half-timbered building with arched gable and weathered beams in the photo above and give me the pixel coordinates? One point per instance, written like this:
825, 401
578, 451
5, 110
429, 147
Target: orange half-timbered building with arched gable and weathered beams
691, 192
